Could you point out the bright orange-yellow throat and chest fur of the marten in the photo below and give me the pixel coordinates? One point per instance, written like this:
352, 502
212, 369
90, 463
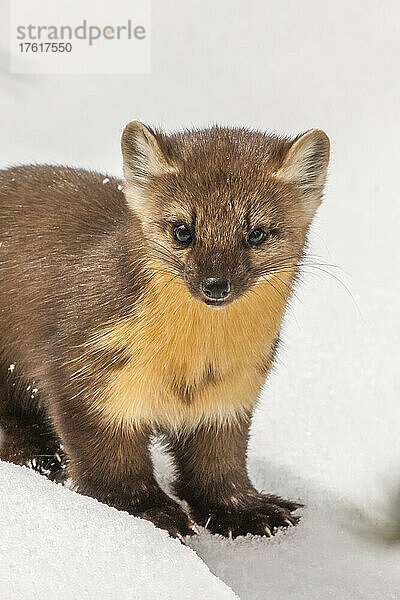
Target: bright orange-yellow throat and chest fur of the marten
186, 363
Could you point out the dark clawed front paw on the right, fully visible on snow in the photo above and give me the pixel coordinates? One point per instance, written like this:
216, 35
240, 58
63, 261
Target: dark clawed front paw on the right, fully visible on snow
260, 515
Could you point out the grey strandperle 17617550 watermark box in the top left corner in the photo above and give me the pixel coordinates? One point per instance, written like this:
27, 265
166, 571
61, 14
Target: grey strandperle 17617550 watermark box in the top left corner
78, 36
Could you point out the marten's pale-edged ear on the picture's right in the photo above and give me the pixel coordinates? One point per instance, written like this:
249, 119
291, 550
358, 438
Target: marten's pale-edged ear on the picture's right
305, 165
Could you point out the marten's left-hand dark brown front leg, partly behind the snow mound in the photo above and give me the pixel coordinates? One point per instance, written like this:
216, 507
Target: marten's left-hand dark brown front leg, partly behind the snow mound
113, 464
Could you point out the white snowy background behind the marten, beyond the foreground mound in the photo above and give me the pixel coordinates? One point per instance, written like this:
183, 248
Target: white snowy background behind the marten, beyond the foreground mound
328, 426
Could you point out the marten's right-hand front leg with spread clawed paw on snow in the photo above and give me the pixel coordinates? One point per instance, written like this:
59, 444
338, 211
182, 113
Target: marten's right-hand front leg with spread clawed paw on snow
213, 480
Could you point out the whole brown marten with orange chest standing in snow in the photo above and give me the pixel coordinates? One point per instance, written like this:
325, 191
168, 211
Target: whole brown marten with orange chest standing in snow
154, 307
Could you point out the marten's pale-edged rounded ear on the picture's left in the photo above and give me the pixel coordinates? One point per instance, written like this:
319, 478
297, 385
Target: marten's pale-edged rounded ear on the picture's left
143, 159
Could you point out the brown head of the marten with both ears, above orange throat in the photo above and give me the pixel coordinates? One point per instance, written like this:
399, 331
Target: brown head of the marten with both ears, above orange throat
223, 209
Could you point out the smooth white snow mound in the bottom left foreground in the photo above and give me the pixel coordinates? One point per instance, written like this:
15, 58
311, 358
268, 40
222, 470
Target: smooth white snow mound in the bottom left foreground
55, 543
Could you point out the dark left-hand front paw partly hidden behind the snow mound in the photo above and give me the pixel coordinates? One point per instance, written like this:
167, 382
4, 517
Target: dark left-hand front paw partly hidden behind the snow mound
169, 516
